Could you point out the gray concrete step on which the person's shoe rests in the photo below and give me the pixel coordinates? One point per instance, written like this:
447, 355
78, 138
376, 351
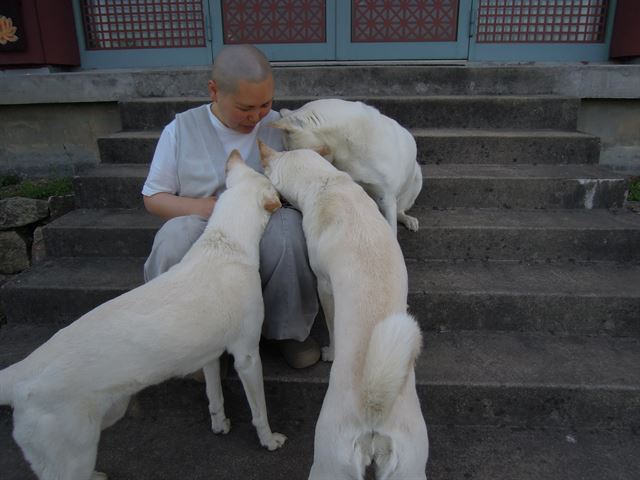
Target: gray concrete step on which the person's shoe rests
518, 360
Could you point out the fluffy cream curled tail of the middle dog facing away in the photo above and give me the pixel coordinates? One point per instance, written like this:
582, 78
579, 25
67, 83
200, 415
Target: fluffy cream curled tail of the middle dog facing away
393, 348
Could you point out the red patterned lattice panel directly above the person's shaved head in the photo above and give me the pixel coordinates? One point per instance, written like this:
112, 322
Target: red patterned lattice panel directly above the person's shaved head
275, 21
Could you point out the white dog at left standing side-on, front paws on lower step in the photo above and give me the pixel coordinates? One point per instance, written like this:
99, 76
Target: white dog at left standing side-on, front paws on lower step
80, 381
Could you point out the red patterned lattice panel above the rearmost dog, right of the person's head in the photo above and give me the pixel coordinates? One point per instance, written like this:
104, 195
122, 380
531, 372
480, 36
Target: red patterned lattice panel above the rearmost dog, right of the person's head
404, 21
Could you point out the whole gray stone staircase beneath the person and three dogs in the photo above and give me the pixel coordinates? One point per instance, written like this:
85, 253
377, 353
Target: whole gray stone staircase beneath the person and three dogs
525, 277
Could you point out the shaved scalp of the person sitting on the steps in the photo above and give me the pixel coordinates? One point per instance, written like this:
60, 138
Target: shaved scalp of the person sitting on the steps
239, 62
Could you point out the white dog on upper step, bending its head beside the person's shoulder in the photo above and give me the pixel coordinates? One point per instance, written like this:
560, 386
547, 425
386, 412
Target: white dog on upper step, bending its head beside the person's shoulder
374, 149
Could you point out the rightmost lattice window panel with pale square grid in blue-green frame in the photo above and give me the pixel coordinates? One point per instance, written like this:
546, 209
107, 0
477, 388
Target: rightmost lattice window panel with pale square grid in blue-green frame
542, 21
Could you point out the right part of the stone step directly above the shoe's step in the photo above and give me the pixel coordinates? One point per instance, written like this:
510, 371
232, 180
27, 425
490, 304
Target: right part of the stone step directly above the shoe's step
591, 298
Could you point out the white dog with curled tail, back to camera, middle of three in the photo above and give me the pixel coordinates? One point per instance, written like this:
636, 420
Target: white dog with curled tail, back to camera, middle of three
371, 412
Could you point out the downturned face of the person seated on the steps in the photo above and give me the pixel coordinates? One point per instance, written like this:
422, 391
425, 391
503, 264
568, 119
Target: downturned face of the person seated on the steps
244, 108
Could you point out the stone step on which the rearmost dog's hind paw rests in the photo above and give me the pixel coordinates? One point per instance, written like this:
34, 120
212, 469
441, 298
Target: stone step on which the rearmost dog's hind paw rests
453, 234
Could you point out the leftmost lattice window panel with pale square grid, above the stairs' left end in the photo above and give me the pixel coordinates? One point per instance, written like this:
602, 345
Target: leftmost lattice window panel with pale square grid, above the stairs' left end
121, 24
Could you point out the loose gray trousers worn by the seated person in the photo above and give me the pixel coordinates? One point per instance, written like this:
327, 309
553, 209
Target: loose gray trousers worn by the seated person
288, 284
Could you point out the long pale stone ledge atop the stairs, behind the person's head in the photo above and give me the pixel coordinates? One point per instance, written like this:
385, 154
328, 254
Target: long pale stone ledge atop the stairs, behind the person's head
578, 80
